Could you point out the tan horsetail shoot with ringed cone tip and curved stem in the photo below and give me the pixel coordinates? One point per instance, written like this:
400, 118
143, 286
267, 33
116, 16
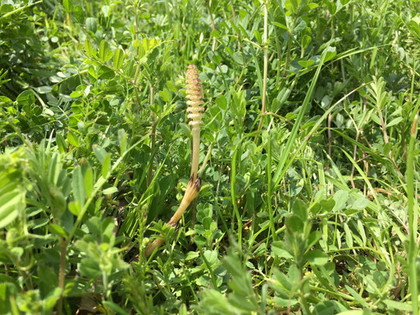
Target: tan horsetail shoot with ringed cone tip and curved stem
195, 113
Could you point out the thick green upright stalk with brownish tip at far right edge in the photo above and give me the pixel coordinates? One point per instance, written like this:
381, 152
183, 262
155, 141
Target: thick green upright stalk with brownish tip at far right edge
413, 216
